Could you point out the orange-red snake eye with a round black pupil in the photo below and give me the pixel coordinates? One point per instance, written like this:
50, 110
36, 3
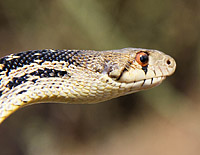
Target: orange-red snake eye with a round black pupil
142, 58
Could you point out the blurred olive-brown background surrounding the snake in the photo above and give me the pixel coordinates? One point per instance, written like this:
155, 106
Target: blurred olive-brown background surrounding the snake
161, 121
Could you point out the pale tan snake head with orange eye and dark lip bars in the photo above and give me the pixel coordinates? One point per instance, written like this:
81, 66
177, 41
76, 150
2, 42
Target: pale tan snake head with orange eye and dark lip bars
144, 66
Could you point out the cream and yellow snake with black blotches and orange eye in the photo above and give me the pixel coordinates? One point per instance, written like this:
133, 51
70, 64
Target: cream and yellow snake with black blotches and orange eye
78, 76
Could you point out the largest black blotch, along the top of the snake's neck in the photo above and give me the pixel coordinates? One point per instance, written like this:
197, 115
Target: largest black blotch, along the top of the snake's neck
28, 57
